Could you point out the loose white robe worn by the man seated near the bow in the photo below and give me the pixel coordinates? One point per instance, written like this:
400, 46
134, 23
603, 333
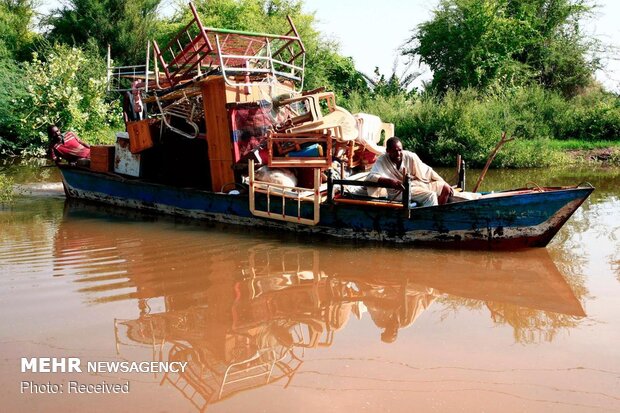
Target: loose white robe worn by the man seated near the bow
426, 185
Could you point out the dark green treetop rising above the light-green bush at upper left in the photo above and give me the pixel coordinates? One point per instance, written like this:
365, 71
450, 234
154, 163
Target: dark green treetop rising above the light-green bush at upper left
125, 25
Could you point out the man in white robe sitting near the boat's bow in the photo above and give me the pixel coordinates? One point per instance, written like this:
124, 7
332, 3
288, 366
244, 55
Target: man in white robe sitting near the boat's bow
427, 187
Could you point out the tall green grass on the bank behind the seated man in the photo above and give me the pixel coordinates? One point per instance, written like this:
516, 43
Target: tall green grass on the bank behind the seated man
470, 123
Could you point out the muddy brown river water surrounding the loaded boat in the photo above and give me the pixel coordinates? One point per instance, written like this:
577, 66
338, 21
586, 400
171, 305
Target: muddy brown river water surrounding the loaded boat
272, 323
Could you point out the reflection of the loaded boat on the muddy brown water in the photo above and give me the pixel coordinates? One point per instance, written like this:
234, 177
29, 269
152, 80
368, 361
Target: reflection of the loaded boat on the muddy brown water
243, 310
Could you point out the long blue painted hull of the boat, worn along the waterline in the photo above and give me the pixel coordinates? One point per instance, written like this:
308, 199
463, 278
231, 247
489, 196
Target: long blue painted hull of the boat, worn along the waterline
507, 222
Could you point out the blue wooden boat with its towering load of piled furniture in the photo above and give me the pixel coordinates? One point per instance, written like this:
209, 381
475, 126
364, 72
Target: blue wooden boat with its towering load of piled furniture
247, 87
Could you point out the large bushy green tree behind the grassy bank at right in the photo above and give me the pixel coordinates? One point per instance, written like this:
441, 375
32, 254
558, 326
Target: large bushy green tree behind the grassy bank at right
477, 43
